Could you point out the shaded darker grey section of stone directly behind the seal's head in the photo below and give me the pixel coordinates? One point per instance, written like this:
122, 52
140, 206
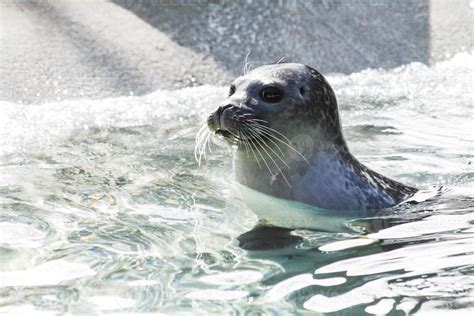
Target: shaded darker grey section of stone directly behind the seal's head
333, 36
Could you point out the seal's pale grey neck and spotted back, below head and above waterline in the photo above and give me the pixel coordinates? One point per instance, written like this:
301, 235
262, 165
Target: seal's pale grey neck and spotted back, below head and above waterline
330, 178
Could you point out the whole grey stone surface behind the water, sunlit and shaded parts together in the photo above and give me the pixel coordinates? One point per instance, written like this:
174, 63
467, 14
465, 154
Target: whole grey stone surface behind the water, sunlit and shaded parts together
66, 49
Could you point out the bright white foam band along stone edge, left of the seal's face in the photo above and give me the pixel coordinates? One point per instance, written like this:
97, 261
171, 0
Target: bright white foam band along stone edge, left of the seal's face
32, 127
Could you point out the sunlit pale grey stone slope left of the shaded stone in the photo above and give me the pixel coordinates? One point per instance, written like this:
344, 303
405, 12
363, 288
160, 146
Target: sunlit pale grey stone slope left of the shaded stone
58, 50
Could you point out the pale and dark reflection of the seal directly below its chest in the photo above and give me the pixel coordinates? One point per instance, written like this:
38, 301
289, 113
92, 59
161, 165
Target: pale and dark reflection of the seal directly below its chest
295, 245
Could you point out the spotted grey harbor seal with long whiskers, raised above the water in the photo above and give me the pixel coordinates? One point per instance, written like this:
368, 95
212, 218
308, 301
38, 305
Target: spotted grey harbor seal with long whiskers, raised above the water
283, 121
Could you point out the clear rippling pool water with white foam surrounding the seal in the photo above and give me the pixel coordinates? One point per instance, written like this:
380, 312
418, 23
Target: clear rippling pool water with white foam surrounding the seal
104, 209
